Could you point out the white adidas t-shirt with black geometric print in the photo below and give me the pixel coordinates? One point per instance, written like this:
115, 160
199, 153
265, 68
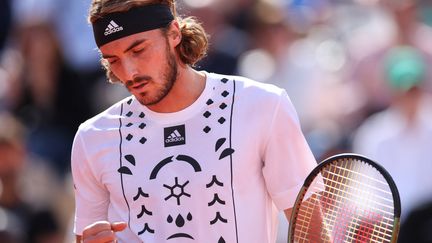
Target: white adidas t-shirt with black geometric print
212, 172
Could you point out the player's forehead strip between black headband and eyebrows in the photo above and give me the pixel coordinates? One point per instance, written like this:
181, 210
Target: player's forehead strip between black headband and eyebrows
122, 44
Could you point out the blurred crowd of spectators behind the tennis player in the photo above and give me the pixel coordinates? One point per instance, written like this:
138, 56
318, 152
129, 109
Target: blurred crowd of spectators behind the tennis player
356, 70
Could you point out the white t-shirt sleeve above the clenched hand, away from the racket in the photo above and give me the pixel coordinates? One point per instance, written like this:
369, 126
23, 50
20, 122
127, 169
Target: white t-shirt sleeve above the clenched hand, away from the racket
91, 197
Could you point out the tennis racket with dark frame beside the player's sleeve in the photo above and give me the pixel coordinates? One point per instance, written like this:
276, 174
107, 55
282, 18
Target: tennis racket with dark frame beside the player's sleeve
346, 198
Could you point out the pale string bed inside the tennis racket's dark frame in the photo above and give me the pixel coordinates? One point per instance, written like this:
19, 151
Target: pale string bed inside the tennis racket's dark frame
357, 205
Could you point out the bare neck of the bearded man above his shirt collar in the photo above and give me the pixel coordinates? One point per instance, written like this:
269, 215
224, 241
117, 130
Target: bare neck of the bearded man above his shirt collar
187, 88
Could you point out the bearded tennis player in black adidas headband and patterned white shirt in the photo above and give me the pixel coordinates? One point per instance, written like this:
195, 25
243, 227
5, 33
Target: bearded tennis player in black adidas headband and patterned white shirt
190, 156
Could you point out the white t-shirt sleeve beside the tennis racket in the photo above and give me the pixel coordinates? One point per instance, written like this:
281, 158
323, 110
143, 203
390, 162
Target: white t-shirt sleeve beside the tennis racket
287, 157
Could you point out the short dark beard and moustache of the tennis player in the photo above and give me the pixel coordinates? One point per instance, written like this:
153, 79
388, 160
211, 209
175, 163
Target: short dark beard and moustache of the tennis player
161, 90
